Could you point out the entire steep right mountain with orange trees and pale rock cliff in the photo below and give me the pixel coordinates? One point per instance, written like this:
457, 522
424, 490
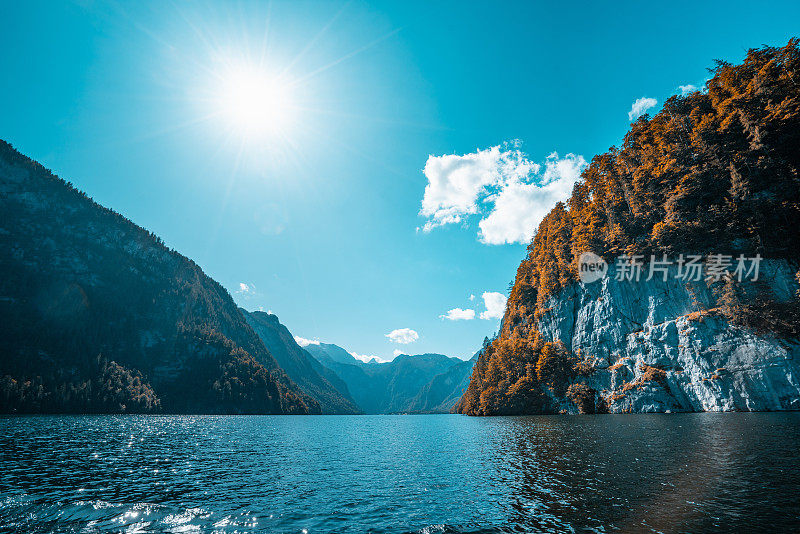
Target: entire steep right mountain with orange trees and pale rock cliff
716, 174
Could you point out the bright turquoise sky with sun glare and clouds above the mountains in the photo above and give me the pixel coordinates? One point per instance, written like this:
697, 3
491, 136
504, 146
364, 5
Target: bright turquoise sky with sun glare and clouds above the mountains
325, 219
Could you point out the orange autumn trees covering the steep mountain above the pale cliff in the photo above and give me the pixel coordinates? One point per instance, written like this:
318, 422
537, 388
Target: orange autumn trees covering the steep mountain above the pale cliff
715, 171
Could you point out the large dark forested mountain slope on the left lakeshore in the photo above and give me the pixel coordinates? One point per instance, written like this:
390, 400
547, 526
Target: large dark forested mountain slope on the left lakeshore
99, 316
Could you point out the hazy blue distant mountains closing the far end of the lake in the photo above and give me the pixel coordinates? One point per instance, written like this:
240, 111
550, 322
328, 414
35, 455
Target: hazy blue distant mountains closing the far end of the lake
420, 383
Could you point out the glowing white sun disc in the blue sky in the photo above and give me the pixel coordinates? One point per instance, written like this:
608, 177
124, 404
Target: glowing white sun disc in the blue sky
254, 102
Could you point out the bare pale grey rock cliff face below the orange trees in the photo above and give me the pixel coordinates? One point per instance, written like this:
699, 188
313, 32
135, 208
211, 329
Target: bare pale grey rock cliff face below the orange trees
660, 346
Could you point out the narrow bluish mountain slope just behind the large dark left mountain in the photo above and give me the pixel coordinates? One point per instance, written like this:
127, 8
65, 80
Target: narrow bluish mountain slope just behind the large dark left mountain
313, 378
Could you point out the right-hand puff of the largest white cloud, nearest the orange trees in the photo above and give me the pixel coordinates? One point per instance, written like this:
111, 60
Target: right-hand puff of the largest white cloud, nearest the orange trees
520, 206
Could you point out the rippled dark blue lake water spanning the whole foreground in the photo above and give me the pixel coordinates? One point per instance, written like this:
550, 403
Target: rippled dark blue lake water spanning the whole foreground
438, 473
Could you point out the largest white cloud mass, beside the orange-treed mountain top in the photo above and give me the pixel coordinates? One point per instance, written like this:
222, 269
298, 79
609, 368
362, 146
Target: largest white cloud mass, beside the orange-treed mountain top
500, 183
